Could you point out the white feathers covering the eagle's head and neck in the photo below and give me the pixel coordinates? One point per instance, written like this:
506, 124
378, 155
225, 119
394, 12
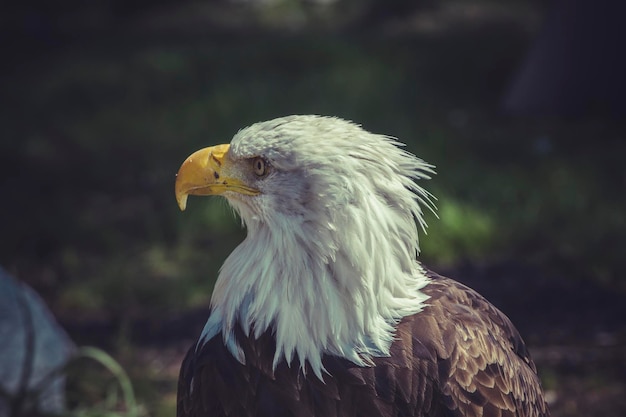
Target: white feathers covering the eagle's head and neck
330, 260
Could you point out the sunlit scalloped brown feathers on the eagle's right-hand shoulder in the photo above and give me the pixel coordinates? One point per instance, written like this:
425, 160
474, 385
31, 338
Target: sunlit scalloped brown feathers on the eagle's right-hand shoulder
484, 366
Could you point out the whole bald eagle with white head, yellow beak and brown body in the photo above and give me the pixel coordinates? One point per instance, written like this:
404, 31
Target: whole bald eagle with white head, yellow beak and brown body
324, 309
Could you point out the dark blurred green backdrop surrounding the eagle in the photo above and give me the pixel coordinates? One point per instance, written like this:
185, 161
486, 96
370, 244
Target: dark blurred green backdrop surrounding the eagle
521, 105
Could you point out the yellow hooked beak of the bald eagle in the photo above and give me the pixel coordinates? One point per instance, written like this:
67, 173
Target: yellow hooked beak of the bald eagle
209, 172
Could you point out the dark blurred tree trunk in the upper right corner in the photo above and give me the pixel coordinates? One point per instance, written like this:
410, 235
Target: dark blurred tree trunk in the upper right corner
577, 65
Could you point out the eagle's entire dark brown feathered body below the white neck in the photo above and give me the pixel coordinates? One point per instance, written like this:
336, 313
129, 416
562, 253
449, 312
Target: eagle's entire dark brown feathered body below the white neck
460, 356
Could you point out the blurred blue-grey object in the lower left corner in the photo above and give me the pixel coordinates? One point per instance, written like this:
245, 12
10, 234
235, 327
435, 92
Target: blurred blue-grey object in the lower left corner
33, 351
